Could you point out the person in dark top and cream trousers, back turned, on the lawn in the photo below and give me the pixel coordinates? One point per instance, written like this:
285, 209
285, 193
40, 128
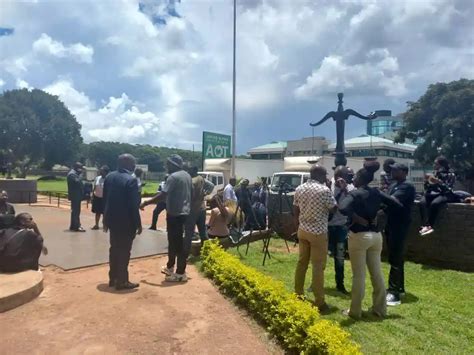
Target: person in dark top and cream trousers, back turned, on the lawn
365, 240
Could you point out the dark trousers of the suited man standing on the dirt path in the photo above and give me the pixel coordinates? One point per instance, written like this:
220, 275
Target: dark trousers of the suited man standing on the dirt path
119, 255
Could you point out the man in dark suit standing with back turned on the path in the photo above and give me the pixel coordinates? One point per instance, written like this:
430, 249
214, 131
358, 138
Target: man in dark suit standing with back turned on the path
122, 218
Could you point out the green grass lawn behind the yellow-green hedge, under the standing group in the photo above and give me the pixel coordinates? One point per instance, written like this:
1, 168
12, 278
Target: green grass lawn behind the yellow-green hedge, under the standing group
436, 316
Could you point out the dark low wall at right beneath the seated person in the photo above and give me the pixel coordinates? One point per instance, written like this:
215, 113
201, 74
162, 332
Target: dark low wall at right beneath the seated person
451, 245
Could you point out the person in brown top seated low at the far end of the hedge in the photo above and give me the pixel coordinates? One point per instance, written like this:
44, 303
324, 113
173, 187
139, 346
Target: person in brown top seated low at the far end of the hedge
221, 216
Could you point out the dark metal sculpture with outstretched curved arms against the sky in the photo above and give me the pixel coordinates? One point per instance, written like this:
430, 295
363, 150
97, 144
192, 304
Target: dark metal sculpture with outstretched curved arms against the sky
340, 116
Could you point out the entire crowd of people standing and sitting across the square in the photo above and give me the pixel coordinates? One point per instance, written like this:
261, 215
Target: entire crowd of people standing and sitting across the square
341, 214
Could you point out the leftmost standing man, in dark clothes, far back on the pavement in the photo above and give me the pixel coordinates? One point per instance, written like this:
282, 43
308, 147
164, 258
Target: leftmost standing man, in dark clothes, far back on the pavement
75, 192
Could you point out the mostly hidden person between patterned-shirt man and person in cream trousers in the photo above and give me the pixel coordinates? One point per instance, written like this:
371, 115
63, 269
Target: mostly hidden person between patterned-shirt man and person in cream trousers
337, 229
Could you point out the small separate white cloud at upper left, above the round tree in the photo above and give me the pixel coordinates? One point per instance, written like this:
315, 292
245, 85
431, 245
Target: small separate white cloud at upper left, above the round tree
77, 51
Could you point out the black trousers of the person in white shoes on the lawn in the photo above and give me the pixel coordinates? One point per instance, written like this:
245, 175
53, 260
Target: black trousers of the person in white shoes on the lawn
396, 234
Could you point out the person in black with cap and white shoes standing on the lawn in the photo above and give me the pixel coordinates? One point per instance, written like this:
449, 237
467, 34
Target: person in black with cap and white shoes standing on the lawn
398, 223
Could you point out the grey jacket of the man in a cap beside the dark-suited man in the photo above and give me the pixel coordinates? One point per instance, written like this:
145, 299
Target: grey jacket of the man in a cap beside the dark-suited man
178, 194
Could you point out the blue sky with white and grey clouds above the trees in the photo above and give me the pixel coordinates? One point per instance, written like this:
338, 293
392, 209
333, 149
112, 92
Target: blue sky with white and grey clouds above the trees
160, 72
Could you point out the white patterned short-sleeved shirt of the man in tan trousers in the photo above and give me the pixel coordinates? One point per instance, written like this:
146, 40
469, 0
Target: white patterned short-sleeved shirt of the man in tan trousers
314, 201
